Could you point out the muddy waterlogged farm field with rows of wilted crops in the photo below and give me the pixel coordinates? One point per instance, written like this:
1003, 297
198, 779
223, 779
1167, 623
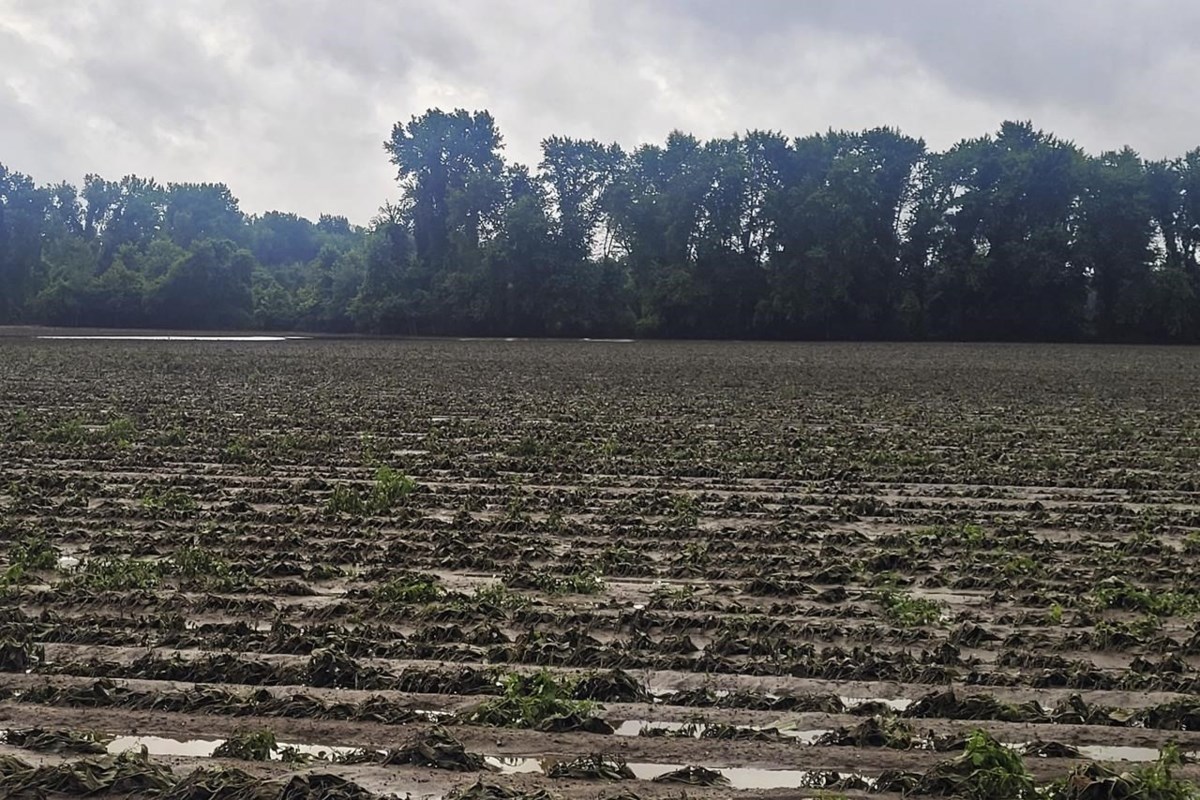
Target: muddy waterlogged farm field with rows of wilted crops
350, 569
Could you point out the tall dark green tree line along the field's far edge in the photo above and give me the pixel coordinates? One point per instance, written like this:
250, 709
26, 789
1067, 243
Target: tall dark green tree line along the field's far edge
844, 236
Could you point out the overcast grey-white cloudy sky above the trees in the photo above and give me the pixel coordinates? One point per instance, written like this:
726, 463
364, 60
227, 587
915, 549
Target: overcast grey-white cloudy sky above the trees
289, 101
